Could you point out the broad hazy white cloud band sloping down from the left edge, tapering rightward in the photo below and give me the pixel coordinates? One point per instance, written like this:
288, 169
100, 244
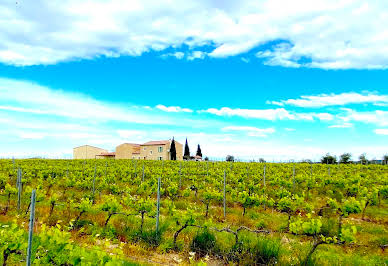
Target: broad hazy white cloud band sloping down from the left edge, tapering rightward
27, 97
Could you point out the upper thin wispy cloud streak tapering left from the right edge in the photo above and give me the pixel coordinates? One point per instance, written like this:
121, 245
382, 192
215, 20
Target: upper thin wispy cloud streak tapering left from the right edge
323, 100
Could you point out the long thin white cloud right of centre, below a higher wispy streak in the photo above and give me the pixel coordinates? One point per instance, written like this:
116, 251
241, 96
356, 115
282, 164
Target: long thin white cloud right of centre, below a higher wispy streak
268, 114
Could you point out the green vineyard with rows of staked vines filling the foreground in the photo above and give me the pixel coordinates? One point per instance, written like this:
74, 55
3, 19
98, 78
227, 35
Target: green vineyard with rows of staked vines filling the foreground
128, 212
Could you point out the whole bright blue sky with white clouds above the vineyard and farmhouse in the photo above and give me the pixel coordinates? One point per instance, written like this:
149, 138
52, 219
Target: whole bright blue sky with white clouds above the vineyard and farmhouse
279, 80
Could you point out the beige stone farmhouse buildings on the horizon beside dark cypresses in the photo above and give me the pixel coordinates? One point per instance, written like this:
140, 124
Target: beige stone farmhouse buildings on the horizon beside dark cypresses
152, 150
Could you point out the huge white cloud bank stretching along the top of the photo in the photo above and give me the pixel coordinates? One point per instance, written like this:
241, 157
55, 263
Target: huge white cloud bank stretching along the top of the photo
323, 33
